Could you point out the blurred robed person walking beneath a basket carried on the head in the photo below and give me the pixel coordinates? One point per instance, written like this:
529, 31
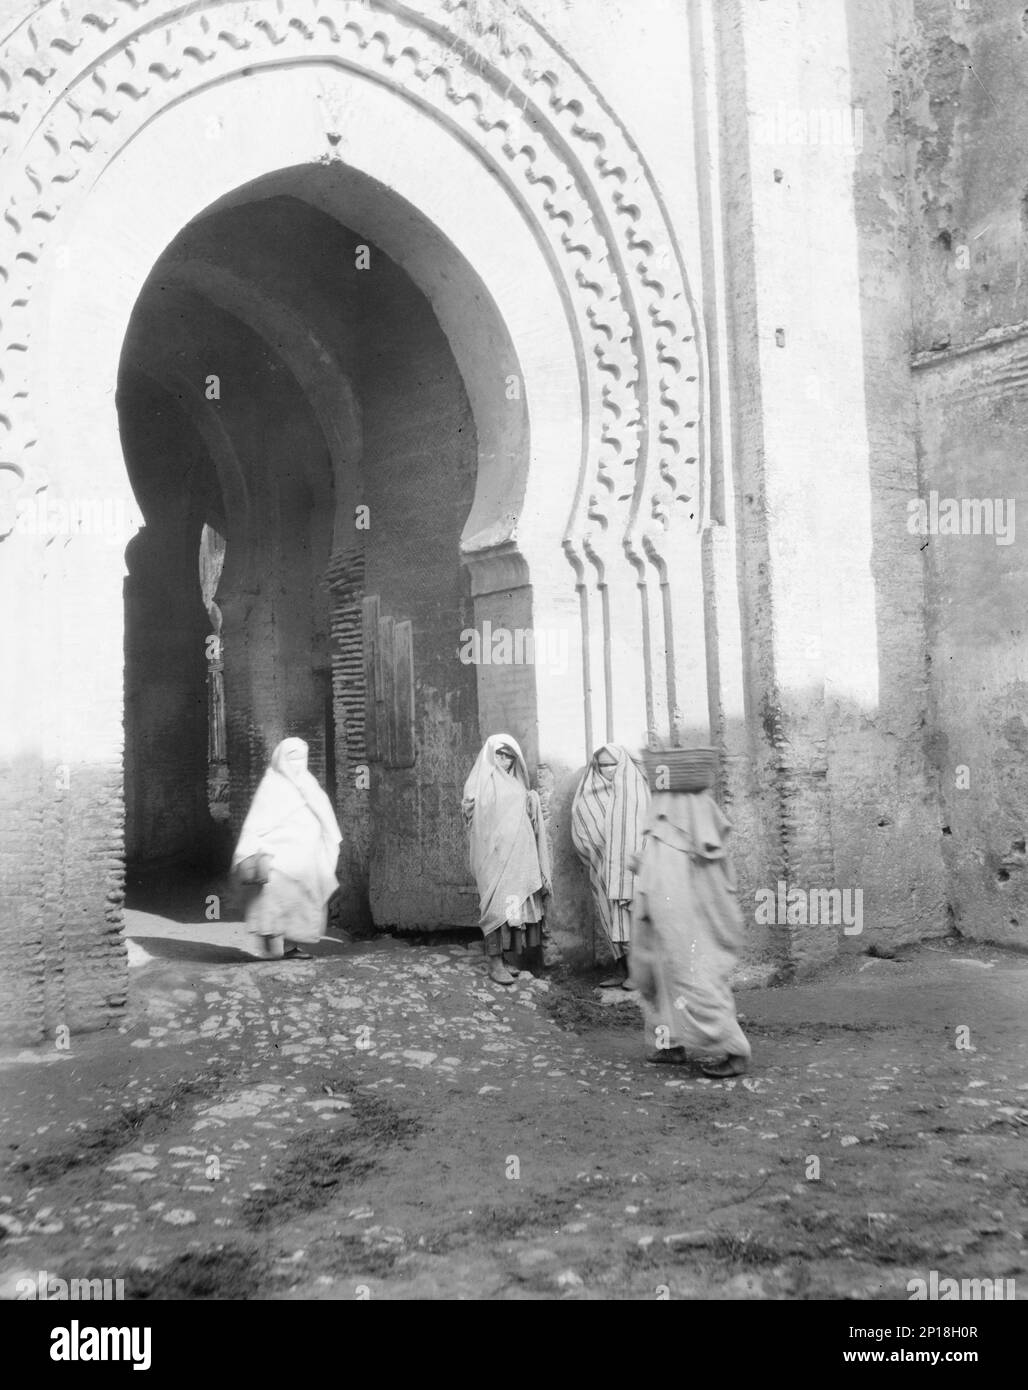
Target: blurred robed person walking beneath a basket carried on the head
687, 935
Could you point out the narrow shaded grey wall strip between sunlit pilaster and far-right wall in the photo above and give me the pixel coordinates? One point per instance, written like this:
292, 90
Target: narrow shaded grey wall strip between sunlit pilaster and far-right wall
891, 829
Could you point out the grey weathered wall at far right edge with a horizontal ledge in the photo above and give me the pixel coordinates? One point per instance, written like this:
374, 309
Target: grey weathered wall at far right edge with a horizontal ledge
965, 122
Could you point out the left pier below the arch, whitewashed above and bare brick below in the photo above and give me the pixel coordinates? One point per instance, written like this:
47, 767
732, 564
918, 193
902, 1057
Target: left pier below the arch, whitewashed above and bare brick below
63, 810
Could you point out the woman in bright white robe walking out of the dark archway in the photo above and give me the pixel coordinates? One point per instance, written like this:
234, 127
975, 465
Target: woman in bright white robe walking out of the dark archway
291, 844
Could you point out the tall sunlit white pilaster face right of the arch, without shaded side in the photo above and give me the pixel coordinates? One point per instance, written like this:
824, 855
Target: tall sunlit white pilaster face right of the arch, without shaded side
801, 426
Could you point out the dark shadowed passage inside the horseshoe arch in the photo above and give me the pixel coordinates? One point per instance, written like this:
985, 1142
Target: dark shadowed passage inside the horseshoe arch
288, 386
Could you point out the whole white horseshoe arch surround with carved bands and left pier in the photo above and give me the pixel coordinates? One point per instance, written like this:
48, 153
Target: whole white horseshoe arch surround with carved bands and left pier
494, 174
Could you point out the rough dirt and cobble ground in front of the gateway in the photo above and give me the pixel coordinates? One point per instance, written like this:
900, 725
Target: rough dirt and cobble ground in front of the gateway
384, 1122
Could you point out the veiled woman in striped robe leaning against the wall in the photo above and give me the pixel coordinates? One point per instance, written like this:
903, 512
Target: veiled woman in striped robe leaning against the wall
608, 818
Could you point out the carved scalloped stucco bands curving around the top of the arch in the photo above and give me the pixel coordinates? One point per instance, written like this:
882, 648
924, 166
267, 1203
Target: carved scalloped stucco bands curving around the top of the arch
78, 80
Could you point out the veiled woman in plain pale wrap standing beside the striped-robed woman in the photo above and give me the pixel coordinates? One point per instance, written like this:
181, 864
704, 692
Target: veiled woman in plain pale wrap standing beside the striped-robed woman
509, 854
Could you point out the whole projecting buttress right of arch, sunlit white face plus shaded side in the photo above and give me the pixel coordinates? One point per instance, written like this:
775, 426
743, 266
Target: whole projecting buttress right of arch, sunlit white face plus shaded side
823, 419
